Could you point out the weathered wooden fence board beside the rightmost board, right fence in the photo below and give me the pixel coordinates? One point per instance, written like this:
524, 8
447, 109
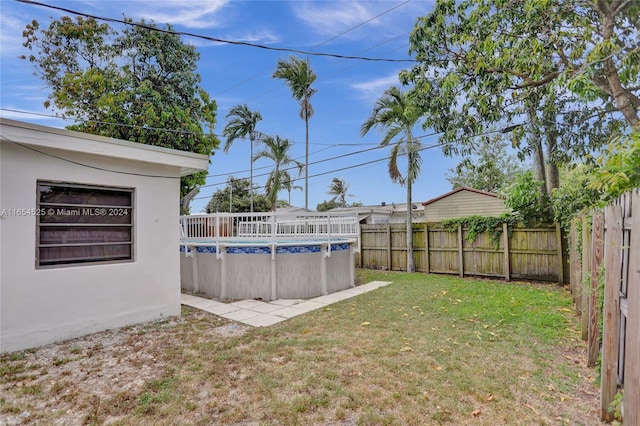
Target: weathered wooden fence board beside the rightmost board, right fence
611, 314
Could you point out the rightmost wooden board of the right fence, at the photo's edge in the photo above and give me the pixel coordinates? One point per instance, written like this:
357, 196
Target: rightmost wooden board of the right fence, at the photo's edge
632, 340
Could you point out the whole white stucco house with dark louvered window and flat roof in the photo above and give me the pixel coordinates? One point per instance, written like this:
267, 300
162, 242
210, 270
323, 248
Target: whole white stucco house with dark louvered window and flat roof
88, 233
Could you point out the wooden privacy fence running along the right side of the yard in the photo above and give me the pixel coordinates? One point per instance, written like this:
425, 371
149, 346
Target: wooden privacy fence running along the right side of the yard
605, 281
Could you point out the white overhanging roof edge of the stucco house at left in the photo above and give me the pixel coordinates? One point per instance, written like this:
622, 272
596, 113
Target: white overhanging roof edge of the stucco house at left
35, 135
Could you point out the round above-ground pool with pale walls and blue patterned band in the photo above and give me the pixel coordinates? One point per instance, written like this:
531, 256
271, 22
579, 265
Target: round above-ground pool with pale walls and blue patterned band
267, 269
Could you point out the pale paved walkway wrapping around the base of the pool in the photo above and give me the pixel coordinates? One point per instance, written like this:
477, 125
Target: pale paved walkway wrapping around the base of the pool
263, 314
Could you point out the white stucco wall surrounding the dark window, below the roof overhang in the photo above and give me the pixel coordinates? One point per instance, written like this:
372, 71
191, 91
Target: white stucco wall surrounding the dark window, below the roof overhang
44, 305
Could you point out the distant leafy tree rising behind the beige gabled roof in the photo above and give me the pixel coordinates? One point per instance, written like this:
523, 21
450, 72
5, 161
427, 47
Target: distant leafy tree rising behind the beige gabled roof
488, 169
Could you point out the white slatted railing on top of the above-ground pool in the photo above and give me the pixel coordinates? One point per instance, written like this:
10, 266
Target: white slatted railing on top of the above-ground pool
272, 227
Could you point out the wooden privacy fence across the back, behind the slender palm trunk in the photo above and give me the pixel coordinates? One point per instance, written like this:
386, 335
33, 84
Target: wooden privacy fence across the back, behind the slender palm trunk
522, 253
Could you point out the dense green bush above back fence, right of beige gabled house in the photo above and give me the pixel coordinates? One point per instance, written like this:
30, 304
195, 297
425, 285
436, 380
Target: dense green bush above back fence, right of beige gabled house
525, 198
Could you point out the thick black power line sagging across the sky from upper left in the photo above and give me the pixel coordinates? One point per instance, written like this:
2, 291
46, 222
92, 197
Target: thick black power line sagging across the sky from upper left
216, 39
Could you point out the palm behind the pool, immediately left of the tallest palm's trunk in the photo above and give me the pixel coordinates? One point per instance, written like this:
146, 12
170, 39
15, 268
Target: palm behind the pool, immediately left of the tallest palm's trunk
277, 150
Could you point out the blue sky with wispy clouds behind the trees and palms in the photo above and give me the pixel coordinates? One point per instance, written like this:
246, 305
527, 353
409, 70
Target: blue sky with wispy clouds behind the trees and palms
346, 89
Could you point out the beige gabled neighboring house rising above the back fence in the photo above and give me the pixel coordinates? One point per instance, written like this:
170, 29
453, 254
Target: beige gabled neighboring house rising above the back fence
463, 202
